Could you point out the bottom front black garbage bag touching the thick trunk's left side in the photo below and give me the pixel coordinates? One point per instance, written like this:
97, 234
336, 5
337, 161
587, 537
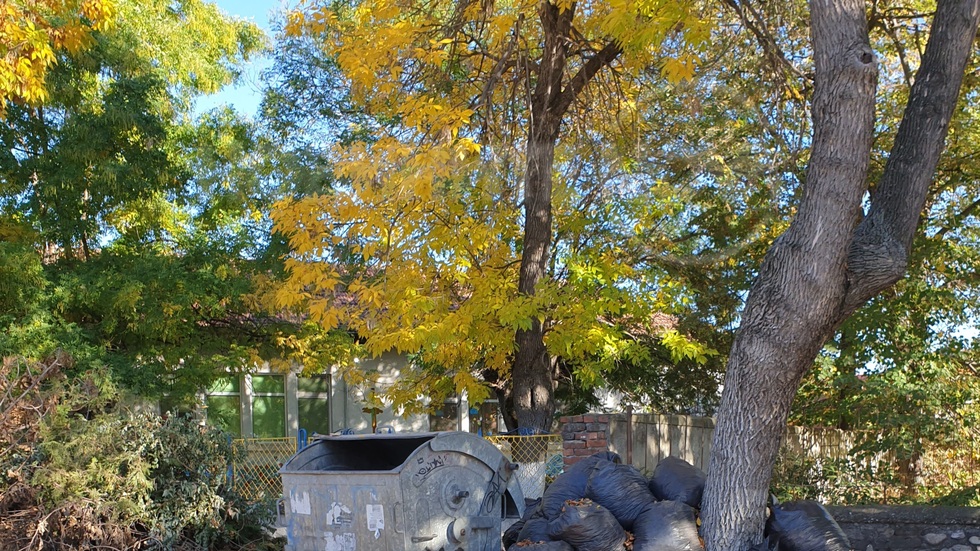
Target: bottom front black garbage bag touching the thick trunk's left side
666, 526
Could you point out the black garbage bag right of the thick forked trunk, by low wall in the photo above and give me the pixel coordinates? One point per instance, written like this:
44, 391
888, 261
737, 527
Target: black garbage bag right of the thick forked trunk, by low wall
804, 526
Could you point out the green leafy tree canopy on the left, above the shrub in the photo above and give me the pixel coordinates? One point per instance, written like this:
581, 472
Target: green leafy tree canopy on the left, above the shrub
133, 232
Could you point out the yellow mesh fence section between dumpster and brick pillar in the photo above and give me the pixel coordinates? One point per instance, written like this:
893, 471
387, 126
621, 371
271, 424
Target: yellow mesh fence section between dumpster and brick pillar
539, 456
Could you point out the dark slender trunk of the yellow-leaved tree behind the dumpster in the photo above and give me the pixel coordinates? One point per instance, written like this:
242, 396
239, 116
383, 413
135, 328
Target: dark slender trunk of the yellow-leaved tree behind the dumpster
552, 96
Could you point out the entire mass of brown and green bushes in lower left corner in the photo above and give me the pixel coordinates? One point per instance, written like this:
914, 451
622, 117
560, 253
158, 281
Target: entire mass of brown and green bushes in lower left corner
88, 472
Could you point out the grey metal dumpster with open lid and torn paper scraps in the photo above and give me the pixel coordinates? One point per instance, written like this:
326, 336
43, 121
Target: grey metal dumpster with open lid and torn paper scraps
437, 491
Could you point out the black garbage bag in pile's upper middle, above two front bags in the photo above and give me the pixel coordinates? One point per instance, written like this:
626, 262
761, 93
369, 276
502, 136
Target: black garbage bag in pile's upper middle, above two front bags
620, 488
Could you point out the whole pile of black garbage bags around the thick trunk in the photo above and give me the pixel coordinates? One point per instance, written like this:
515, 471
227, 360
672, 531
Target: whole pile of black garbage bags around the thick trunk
599, 504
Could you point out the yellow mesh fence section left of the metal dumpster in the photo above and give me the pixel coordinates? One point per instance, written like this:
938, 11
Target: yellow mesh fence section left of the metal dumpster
255, 474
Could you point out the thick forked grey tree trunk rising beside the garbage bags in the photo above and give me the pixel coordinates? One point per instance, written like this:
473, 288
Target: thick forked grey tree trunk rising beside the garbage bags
832, 259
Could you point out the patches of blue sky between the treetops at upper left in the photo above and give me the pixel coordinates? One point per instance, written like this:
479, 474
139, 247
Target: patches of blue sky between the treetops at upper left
246, 95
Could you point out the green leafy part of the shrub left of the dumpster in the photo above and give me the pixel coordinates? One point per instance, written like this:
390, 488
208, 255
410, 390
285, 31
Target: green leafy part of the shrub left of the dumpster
165, 478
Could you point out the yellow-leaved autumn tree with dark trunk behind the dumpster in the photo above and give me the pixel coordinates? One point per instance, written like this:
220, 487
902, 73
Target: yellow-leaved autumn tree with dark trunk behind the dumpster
441, 243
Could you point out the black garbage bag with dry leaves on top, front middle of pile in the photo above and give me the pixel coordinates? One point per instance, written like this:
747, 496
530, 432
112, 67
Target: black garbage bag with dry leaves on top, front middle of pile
588, 526
